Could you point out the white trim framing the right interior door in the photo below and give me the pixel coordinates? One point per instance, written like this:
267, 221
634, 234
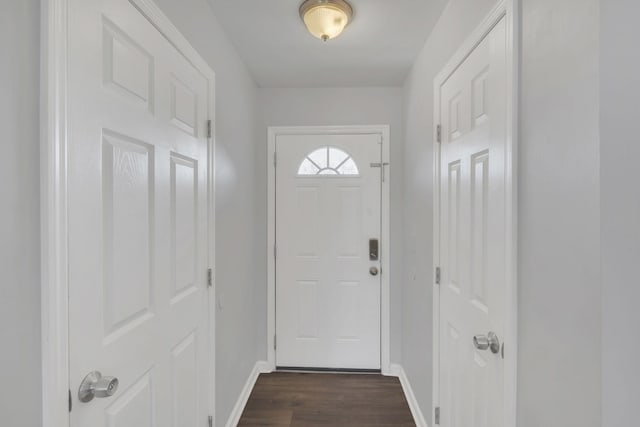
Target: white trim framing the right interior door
509, 9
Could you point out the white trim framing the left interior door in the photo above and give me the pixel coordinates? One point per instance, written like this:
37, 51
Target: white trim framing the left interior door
53, 199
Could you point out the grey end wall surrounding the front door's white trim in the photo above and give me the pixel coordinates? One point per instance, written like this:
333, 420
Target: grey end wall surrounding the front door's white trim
341, 106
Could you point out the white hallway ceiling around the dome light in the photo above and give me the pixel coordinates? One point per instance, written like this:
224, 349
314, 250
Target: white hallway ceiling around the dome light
377, 48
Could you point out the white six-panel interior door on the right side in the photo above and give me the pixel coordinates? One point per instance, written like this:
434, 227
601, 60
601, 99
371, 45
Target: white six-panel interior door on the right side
473, 236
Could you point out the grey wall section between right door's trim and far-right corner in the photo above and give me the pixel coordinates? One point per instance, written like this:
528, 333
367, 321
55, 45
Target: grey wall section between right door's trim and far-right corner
559, 261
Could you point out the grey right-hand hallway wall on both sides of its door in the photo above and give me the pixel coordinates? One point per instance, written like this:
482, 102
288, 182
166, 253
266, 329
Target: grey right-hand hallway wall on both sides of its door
559, 280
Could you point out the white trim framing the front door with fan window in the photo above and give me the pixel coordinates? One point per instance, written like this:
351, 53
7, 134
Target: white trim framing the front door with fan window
385, 325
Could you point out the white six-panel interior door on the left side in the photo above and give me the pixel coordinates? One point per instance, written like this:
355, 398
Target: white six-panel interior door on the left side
137, 208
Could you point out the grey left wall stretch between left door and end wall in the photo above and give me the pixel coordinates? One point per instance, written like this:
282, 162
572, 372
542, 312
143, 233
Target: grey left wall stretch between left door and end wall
236, 215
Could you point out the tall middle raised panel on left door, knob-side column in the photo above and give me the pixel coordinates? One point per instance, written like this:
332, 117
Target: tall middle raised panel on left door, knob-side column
128, 209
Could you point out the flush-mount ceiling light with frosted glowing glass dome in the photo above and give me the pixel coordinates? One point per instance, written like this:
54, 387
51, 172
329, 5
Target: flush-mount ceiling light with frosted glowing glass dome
326, 19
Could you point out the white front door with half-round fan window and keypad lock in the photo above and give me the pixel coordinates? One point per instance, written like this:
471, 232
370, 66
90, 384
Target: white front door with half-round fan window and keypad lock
327, 220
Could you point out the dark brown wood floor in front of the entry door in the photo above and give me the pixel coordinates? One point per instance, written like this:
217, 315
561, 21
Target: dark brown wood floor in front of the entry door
304, 399
